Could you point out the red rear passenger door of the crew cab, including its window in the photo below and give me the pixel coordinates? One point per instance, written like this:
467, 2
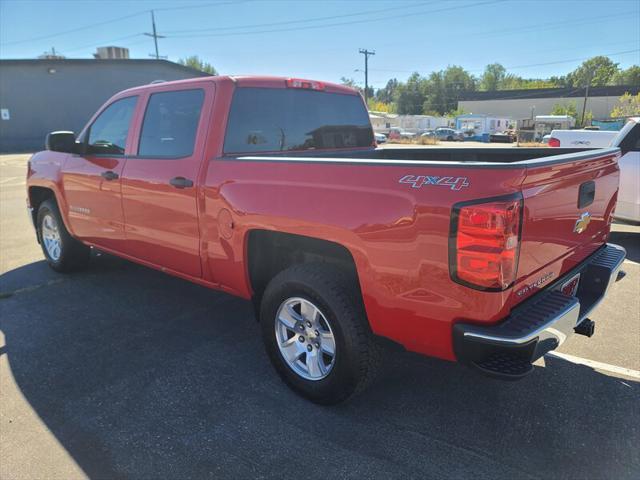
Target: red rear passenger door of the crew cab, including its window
159, 182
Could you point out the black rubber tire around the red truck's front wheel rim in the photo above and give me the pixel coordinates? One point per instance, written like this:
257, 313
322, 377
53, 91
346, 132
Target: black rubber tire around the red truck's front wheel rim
73, 255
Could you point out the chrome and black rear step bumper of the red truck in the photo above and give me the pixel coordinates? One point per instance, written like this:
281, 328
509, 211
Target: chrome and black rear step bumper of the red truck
540, 324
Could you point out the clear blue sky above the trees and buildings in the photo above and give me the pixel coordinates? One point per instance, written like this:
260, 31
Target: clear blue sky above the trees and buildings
320, 38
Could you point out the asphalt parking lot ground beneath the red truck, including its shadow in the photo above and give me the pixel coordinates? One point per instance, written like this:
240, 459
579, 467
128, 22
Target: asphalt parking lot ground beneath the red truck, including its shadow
124, 372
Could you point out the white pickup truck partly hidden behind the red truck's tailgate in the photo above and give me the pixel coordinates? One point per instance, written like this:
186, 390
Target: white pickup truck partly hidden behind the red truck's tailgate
628, 139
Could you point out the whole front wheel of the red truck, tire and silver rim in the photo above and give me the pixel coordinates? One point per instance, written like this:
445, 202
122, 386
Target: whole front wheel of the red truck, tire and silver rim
62, 252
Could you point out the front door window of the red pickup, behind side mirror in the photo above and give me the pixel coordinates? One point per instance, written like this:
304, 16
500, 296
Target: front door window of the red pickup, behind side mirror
108, 133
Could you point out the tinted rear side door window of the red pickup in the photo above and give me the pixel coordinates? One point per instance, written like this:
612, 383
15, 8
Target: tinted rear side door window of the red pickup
170, 124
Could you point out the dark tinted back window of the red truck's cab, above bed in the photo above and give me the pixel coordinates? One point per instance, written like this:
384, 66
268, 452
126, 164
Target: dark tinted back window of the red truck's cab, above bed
278, 120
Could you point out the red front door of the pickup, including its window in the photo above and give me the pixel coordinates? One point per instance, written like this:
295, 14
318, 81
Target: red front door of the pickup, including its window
91, 181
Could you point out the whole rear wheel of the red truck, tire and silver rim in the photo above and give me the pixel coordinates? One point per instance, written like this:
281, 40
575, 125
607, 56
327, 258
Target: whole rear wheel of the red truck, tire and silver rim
316, 333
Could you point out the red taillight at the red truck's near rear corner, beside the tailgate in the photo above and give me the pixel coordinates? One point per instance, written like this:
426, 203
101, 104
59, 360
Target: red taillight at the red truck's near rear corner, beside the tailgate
484, 243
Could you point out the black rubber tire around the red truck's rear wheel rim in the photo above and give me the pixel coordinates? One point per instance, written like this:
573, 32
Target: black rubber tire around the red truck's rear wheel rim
357, 353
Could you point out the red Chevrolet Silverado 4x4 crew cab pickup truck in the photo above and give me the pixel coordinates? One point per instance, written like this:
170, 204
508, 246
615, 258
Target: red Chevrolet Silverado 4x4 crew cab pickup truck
273, 190
